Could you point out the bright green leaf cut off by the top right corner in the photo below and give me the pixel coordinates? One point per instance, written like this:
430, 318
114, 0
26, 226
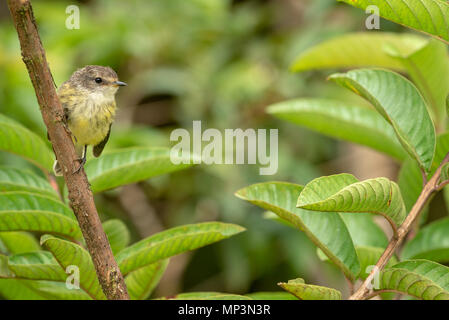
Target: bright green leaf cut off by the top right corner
428, 16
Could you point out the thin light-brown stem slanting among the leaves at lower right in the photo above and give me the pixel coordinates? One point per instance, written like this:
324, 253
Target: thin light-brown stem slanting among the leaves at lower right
429, 189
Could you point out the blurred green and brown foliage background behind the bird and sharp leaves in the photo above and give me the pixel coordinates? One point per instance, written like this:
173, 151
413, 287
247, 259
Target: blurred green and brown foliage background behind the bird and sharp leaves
219, 61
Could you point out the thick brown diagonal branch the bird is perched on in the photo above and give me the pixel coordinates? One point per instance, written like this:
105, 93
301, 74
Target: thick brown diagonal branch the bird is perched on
80, 195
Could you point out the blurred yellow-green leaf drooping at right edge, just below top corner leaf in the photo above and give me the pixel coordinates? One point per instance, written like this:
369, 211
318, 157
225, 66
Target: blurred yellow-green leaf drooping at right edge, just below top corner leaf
429, 70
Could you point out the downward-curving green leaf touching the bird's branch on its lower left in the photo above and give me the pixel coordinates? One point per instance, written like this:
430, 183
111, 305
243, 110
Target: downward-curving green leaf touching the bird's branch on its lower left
70, 254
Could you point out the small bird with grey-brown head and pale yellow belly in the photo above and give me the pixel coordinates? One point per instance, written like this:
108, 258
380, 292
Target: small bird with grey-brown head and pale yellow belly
88, 100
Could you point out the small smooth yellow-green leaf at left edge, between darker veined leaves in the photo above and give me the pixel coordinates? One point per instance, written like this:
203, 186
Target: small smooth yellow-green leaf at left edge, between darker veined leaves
18, 242
